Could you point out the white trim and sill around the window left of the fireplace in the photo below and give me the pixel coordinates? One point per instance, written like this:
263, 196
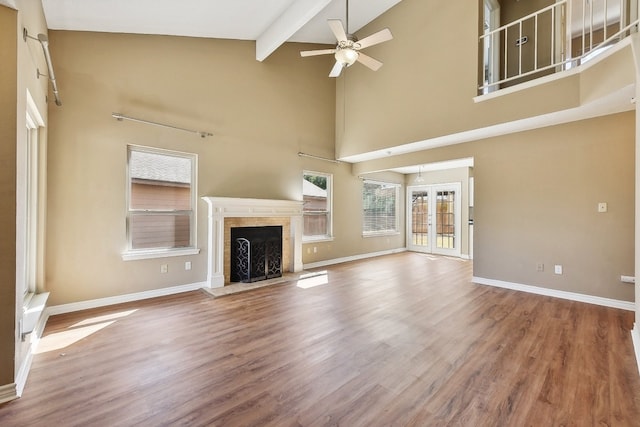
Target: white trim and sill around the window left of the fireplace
139, 254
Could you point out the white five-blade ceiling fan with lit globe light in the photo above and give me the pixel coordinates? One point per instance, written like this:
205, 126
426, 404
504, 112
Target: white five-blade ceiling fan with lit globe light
347, 50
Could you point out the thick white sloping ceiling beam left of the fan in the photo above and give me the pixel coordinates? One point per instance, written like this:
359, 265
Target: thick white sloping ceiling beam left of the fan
287, 24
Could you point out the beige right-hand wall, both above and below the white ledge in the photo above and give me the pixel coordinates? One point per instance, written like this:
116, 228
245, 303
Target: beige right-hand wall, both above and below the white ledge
535, 192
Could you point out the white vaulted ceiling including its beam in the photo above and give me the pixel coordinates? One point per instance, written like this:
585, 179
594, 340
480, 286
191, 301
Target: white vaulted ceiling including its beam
269, 22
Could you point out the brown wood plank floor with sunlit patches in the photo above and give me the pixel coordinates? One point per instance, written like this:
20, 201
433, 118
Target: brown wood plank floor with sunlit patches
401, 340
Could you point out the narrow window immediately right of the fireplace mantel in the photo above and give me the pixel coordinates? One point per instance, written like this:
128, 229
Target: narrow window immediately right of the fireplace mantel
316, 193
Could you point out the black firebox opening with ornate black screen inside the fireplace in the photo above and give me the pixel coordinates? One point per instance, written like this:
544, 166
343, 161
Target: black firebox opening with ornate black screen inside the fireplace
256, 253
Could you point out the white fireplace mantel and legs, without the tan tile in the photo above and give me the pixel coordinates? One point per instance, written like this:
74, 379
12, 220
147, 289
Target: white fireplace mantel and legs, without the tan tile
229, 207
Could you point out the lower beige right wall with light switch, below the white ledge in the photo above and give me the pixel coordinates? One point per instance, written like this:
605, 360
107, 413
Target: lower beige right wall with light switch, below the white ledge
536, 195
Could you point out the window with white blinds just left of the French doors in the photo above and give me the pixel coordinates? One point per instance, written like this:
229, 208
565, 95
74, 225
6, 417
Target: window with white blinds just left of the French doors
379, 207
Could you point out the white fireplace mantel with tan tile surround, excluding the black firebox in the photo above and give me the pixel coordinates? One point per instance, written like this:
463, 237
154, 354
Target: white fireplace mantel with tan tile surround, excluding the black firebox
226, 213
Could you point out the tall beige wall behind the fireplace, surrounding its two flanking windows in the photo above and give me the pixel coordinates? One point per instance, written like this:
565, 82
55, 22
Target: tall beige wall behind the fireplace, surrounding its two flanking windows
261, 114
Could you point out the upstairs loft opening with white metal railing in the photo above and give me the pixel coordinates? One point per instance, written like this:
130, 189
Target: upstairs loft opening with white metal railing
555, 38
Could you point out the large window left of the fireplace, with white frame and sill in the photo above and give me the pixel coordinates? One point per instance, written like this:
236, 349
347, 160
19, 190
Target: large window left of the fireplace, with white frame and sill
161, 200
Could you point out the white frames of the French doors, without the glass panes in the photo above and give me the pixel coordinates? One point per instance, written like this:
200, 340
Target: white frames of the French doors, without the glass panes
432, 190
